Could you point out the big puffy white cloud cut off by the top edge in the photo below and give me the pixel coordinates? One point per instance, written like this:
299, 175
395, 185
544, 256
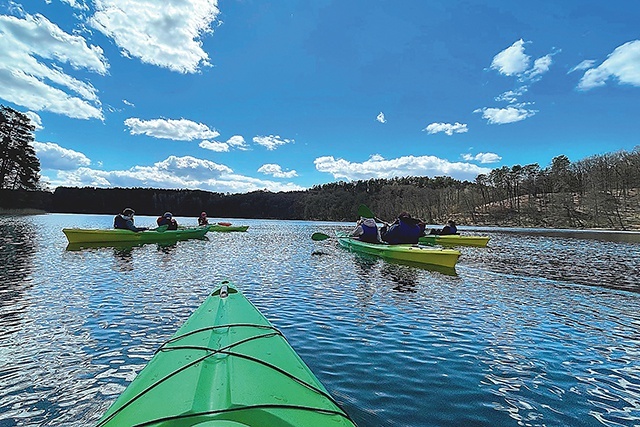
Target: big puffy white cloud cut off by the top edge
167, 36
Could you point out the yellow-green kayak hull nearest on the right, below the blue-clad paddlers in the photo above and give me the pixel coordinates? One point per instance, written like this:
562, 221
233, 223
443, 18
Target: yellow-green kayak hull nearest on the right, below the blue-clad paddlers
406, 253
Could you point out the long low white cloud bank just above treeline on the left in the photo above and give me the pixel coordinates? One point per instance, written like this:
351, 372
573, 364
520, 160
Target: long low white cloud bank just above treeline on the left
175, 173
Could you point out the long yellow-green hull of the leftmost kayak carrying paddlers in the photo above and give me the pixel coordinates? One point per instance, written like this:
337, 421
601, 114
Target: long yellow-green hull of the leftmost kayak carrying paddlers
80, 235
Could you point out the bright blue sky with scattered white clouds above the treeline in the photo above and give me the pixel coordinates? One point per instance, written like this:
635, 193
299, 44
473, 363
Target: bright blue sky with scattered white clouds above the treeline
234, 96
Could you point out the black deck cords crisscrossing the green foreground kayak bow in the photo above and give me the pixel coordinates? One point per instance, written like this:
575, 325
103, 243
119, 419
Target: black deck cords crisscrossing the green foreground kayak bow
226, 350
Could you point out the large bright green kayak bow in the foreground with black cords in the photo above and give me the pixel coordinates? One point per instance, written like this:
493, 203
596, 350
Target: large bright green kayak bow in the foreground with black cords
227, 366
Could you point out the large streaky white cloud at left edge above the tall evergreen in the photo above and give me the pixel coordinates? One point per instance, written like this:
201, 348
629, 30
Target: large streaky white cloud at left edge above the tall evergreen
33, 54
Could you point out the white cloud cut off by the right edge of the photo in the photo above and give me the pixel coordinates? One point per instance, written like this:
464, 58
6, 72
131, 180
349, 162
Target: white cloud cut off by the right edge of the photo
622, 64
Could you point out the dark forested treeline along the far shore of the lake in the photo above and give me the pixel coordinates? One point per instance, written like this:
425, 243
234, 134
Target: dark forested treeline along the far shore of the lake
597, 192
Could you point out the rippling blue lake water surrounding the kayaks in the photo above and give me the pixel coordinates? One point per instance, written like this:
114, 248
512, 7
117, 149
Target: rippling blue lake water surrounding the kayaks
538, 329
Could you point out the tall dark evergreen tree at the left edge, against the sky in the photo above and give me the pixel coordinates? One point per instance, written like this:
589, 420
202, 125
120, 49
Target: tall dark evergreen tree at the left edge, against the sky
19, 166
